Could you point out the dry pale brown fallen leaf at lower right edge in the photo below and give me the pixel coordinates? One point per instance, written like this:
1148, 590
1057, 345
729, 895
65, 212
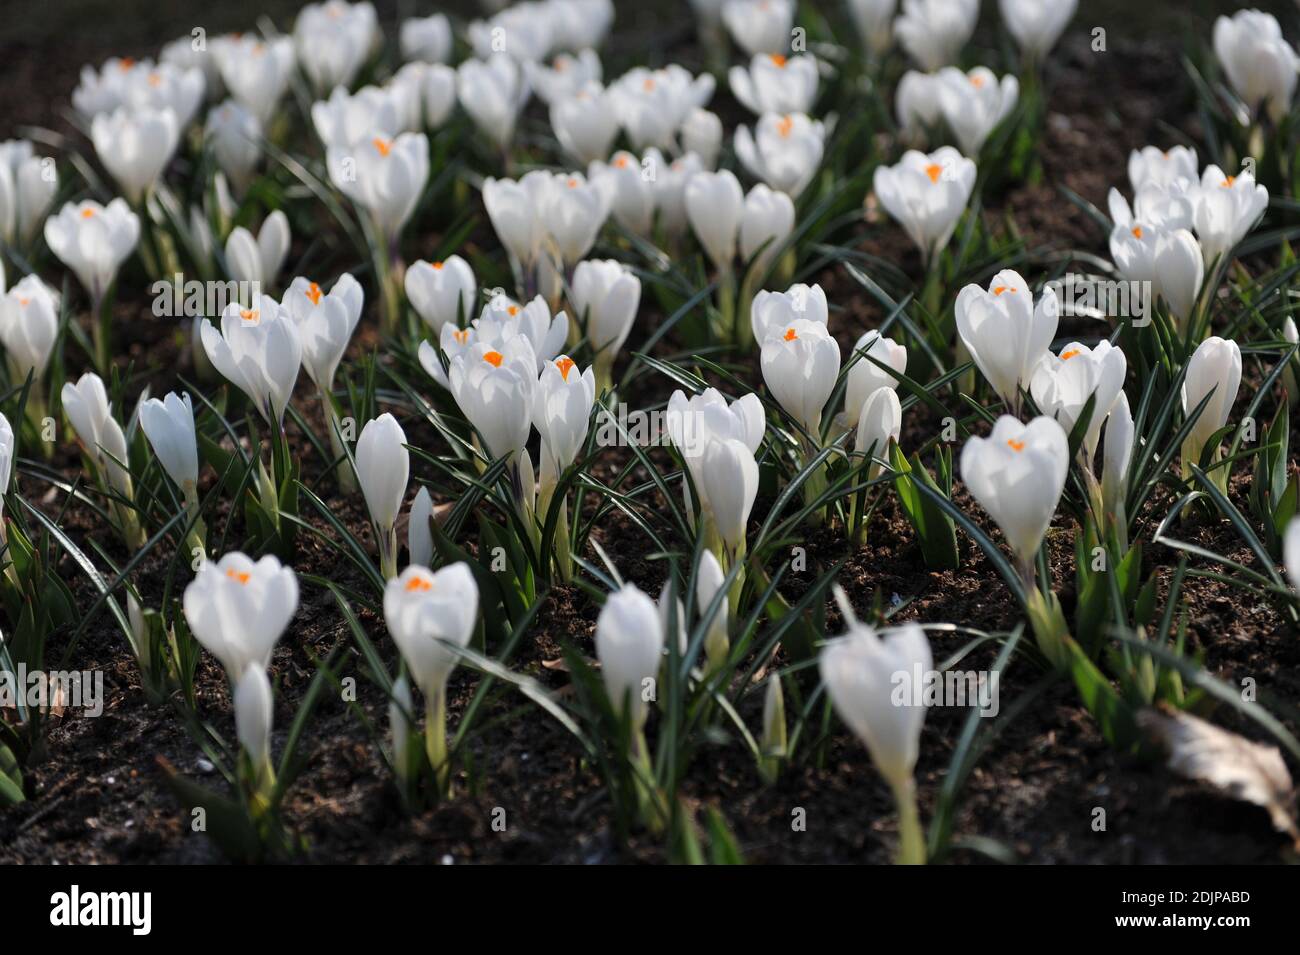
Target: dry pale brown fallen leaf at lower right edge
1233, 765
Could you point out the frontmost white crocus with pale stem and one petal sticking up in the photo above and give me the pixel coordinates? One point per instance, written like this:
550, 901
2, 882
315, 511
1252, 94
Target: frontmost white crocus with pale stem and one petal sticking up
863, 671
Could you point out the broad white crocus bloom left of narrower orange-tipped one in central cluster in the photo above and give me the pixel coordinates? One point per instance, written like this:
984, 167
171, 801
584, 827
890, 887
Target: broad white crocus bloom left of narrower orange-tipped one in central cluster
495, 389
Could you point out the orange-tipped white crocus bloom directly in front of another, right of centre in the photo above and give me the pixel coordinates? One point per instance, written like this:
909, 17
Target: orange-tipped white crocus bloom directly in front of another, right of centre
801, 364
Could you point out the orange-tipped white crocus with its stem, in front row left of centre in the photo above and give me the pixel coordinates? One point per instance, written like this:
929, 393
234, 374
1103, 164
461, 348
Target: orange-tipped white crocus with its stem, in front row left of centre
428, 617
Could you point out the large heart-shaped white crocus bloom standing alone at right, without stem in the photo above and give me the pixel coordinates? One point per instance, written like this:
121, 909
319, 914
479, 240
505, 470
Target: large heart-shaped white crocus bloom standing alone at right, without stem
1017, 476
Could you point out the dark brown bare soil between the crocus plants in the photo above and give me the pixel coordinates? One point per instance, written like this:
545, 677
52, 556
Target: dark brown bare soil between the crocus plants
98, 795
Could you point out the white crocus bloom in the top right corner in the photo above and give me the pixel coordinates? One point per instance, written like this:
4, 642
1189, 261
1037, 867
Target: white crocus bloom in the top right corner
1258, 60
